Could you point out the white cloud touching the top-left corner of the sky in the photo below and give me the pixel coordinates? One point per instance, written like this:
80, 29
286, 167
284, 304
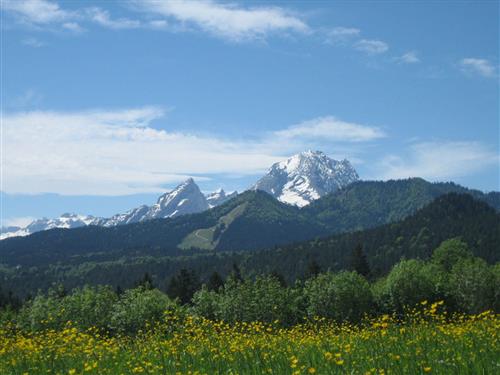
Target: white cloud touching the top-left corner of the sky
36, 11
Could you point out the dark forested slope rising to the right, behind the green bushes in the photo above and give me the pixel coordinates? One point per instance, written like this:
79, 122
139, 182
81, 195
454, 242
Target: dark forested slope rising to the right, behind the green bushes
416, 236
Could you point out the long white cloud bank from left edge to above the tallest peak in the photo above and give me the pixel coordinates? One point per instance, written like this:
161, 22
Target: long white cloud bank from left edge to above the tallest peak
120, 152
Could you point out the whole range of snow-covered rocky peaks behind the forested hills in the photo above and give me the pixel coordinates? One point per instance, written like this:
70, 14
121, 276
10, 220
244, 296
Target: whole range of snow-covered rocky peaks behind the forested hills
298, 181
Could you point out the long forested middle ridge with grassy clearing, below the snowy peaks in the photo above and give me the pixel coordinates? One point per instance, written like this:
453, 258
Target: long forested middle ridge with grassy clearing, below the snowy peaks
250, 221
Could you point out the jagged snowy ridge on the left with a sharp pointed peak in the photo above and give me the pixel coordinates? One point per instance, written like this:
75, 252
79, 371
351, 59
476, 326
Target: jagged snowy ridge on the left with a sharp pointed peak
186, 198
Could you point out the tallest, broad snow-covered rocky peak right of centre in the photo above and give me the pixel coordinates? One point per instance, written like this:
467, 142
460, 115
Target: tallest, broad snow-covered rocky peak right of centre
306, 177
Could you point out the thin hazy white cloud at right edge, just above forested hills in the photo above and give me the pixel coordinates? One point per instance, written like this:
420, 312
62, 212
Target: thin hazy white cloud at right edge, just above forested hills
439, 161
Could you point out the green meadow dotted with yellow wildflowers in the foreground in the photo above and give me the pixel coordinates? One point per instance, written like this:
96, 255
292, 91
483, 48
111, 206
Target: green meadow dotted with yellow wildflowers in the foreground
426, 340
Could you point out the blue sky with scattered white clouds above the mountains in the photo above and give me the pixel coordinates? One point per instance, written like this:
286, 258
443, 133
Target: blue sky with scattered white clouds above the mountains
108, 104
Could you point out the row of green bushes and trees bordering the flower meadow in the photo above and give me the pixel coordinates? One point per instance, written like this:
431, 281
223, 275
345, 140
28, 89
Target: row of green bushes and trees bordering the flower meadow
465, 283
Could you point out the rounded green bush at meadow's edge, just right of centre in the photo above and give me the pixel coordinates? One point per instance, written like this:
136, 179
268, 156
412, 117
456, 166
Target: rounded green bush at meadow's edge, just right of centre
342, 296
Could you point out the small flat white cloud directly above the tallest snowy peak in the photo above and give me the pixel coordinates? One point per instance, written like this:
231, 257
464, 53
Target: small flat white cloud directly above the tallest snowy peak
331, 129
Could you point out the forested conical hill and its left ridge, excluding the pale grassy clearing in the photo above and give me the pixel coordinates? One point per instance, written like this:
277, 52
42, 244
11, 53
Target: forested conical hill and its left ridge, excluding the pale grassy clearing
263, 222
